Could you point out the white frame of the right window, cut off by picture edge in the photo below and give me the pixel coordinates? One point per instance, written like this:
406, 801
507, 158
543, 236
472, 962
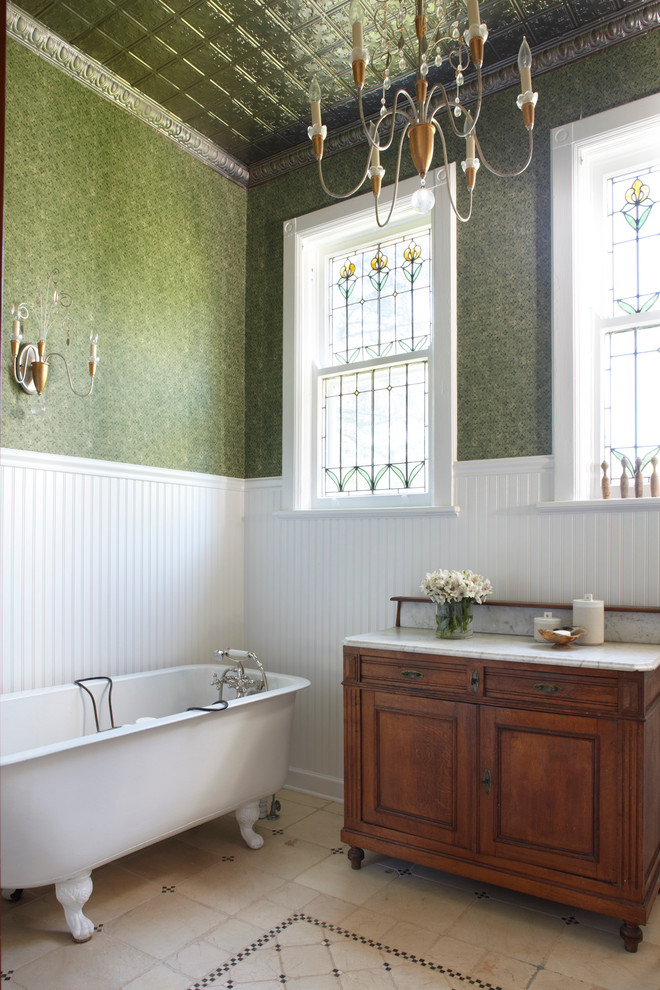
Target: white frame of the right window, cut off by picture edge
583, 153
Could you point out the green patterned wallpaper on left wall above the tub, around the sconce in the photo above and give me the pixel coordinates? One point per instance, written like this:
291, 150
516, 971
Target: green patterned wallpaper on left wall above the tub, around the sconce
151, 245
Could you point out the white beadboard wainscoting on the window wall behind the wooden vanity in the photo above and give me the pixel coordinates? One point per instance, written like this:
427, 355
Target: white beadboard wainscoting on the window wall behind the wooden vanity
312, 579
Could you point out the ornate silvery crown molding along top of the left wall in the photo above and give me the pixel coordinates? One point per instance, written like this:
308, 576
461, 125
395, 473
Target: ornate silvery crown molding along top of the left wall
21, 27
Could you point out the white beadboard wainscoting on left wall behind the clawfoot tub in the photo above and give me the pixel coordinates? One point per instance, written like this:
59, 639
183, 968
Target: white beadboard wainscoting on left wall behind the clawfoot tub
113, 568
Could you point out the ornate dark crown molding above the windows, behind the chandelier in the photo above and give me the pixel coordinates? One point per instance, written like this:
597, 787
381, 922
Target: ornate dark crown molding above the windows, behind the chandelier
607, 33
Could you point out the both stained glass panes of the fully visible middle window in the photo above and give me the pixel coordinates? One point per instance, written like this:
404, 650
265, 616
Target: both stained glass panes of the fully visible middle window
374, 417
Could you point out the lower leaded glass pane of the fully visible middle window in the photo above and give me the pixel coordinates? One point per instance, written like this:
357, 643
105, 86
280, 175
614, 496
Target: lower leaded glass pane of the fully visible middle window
375, 430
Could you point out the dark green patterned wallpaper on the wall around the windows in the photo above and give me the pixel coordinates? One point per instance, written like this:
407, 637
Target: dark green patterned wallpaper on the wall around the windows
504, 255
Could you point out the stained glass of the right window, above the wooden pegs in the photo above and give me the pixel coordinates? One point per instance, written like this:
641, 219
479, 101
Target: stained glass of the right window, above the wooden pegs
632, 352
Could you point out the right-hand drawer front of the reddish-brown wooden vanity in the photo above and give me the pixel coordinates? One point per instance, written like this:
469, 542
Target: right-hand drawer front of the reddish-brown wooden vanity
553, 689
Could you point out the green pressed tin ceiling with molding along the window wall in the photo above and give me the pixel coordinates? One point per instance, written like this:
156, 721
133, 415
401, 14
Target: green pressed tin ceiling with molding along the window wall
237, 71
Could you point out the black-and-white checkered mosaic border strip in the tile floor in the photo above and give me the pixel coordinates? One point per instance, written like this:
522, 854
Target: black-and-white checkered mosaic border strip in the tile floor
212, 979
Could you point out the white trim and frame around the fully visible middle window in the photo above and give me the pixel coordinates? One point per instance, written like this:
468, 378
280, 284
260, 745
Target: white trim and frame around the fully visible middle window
303, 237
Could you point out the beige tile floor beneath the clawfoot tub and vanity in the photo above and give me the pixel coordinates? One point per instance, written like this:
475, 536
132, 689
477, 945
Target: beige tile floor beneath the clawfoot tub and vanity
203, 911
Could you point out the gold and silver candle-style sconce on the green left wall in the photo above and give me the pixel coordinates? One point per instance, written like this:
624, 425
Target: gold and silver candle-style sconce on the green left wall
31, 362
